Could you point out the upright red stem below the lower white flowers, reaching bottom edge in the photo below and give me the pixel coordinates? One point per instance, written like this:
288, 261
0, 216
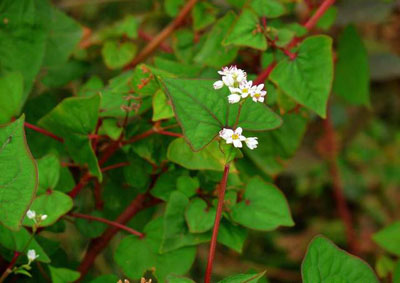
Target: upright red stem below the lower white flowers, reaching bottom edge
213, 244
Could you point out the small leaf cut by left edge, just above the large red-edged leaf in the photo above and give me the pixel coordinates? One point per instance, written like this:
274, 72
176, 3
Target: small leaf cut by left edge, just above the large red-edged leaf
11, 96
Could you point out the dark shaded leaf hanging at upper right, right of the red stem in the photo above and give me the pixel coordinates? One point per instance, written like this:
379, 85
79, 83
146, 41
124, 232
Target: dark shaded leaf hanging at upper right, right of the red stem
352, 69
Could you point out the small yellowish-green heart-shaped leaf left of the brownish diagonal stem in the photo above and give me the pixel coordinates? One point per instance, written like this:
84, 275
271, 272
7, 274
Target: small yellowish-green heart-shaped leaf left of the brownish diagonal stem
117, 55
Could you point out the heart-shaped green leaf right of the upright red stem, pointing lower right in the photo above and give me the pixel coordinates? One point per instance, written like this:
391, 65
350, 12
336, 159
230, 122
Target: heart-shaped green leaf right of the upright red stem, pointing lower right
263, 207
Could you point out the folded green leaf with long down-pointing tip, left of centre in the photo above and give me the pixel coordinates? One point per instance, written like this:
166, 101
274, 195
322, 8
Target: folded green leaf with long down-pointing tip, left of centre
73, 120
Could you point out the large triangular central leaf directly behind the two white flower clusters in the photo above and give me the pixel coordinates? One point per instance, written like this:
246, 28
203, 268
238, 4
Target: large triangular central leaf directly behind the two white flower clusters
202, 111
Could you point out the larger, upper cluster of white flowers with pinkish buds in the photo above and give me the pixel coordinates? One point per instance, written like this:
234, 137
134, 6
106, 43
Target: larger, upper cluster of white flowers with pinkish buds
239, 87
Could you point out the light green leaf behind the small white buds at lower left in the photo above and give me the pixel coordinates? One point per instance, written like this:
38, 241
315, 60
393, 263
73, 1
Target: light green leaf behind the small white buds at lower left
52, 203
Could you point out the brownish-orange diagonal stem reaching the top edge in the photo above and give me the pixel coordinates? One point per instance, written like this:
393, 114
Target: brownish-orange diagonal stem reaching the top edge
152, 45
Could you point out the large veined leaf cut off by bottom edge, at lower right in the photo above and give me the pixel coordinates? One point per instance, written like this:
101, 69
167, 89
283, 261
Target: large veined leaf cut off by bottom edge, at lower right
324, 262
